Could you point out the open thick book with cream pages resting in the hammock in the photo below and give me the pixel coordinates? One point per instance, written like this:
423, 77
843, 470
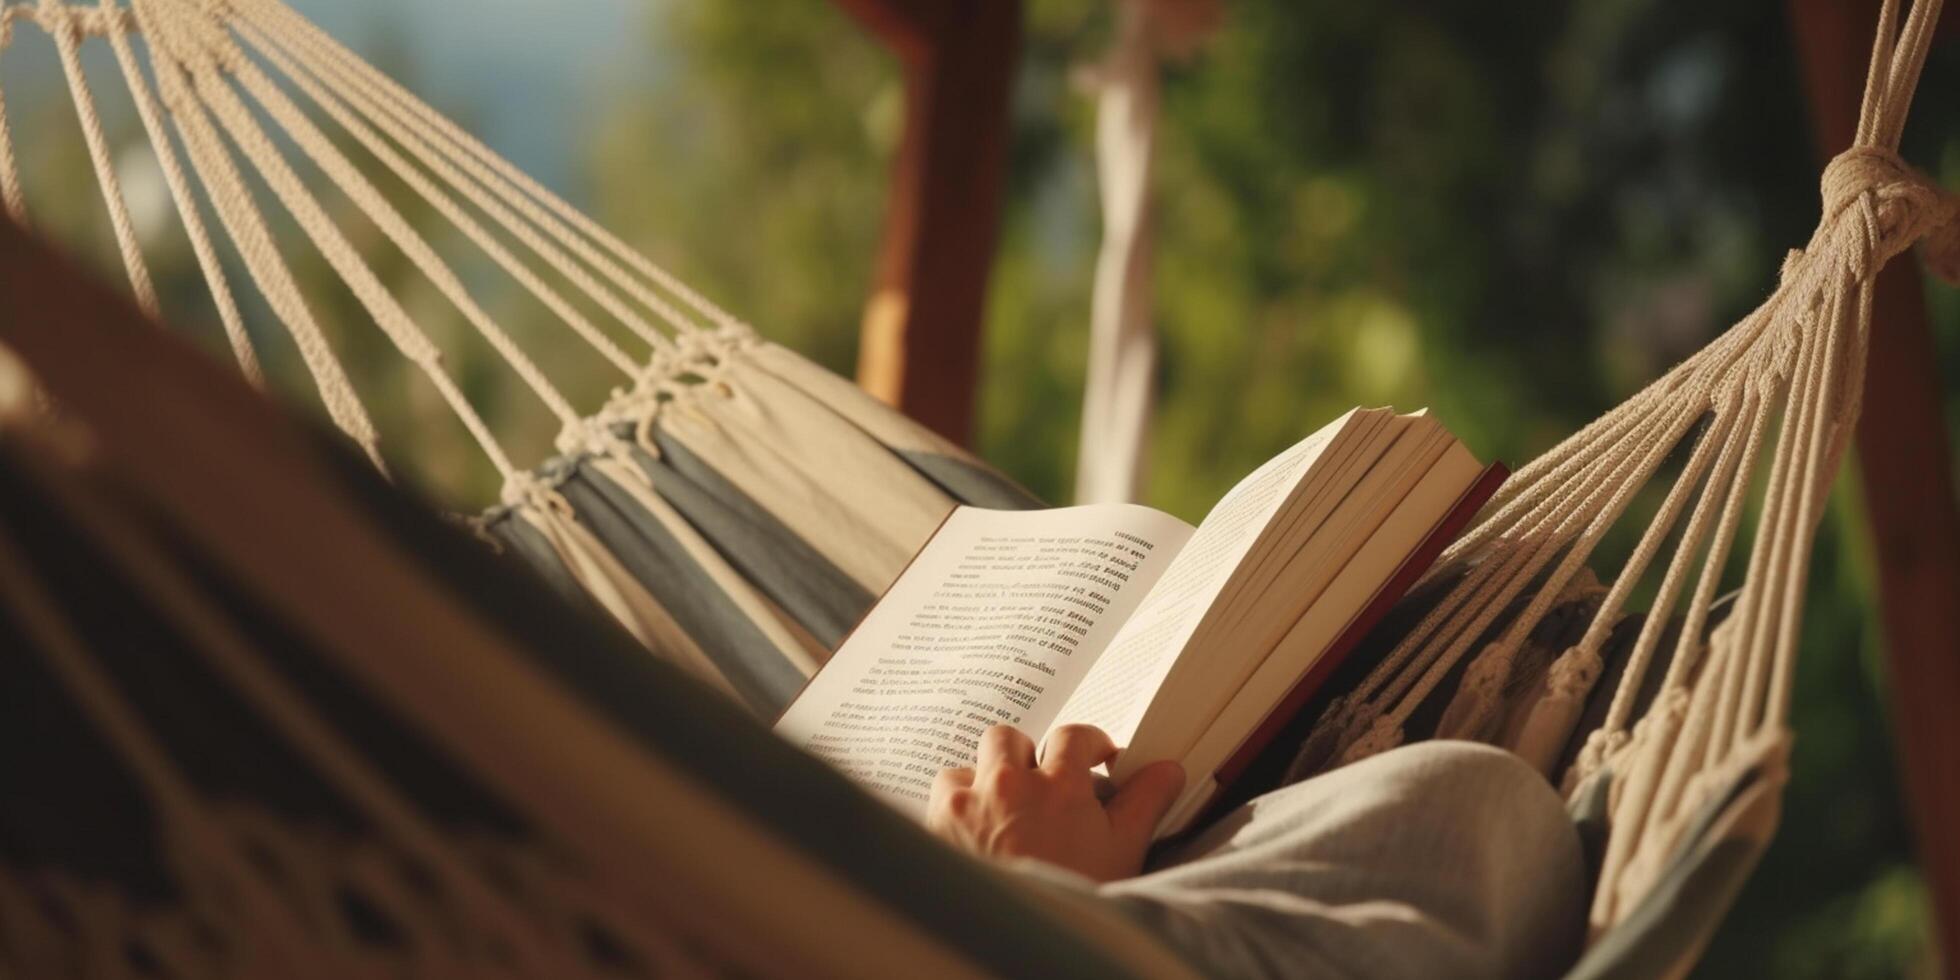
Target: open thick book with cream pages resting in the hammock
1189, 644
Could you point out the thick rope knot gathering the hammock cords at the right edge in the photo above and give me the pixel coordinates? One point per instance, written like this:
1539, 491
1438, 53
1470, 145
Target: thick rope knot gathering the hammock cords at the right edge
1890, 207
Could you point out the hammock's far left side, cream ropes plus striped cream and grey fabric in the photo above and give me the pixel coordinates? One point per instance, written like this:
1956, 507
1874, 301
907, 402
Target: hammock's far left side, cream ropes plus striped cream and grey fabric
732, 505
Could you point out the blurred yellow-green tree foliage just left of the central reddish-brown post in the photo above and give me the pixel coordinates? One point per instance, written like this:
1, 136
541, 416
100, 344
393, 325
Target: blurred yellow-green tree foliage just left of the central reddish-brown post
763, 134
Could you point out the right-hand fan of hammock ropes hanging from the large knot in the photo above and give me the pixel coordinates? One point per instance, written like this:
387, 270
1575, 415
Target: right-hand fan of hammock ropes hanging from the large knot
1792, 367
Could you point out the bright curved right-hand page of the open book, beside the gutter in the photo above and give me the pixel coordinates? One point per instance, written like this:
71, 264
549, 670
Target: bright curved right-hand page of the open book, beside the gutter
1120, 687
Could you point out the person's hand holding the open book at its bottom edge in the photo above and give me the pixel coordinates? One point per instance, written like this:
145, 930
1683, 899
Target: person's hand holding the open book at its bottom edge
1008, 807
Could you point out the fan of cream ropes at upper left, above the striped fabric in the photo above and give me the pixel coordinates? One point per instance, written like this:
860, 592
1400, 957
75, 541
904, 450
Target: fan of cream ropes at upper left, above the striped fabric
219, 99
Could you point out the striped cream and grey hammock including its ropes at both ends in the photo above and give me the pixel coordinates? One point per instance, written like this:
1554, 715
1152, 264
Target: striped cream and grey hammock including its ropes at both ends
540, 805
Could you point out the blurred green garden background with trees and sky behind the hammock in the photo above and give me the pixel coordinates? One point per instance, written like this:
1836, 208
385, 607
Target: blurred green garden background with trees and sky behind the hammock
1510, 213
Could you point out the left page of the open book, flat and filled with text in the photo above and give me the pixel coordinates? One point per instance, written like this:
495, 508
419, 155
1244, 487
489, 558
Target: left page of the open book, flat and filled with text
995, 622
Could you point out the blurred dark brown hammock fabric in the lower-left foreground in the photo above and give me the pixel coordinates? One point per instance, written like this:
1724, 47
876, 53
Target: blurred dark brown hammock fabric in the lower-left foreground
266, 716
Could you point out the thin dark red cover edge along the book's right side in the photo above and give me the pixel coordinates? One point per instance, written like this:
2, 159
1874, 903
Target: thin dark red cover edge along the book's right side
1406, 575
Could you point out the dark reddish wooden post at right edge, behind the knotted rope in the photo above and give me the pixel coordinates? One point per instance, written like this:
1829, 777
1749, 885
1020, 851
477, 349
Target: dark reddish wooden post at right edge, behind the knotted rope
1908, 487
